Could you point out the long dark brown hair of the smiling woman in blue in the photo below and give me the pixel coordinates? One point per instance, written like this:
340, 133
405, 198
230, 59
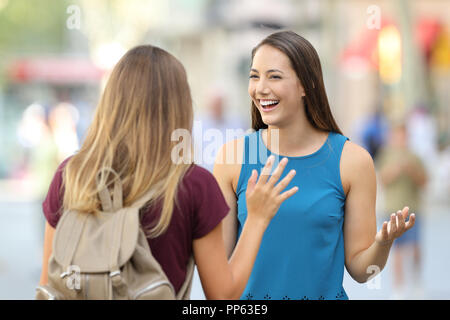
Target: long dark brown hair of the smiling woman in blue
306, 64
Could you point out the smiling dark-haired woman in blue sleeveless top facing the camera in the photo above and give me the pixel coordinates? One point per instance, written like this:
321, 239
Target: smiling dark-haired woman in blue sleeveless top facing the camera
330, 222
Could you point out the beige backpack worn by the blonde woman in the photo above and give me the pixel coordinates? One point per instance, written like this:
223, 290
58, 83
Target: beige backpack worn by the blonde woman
107, 256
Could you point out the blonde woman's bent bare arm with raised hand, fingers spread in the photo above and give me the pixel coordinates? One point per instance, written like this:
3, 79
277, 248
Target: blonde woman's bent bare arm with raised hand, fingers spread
223, 279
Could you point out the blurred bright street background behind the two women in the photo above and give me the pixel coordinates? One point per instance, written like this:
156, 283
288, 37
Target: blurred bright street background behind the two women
386, 65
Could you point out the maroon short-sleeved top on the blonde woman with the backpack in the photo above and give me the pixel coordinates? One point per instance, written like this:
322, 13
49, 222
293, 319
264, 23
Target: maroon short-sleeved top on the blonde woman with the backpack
201, 208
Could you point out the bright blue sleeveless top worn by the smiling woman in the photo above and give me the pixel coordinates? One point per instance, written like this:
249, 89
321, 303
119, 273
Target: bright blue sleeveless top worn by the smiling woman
302, 251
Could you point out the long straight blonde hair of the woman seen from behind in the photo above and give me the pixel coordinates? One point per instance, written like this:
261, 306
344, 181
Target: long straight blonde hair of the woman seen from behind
146, 98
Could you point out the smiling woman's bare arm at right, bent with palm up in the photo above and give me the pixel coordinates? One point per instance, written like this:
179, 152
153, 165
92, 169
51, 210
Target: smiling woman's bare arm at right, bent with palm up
364, 246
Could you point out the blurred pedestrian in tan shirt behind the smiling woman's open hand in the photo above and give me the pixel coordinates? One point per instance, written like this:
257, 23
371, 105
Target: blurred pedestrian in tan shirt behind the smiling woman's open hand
403, 177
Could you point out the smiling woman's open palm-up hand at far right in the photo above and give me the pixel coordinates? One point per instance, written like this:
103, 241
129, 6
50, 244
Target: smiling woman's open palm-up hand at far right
395, 227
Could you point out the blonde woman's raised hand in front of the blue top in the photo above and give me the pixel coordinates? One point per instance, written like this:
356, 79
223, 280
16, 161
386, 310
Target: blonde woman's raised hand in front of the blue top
264, 195
